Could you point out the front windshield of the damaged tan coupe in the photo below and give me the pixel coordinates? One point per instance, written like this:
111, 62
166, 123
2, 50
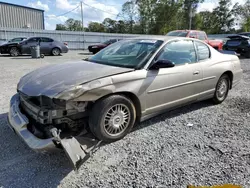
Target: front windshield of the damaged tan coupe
132, 53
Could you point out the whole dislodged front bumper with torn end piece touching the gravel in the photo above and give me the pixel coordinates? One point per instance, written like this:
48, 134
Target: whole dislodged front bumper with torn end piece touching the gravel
78, 149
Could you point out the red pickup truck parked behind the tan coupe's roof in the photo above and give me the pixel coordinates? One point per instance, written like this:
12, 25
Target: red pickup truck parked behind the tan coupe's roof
217, 44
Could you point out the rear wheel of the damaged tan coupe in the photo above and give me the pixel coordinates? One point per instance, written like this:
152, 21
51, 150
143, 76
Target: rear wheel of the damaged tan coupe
222, 89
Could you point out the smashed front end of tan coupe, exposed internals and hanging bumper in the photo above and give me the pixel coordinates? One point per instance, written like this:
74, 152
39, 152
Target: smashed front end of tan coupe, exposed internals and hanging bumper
45, 123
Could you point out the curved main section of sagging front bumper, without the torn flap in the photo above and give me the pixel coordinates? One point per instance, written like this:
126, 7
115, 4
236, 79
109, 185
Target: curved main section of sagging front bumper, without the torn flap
18, 122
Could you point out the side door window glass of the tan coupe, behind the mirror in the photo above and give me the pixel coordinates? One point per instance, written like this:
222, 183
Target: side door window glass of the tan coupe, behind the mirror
179, 52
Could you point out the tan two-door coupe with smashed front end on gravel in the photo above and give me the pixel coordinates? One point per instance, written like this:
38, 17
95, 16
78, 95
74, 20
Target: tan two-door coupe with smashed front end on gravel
129, 81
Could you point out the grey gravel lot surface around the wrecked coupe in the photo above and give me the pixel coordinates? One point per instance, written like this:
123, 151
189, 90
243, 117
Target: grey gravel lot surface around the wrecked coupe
160, 152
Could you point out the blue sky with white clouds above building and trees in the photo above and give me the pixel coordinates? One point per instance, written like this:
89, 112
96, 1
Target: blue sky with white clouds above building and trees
58, 11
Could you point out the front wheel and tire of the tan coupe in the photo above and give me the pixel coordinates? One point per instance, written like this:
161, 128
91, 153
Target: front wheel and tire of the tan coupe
106, 130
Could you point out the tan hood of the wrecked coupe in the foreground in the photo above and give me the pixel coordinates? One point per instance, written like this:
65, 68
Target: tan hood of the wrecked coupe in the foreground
54, 79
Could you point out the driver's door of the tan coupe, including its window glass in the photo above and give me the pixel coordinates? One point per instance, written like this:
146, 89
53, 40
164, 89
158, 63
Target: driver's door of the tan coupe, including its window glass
170, 87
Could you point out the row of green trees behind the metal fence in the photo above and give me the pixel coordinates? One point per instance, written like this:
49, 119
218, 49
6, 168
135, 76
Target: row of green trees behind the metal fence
162, 16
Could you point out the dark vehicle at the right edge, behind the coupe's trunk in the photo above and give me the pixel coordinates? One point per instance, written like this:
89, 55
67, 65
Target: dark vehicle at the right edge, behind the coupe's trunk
238, 43
